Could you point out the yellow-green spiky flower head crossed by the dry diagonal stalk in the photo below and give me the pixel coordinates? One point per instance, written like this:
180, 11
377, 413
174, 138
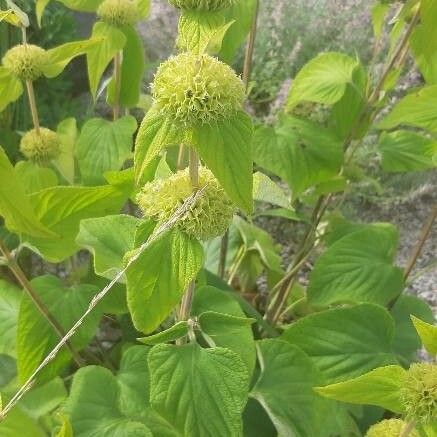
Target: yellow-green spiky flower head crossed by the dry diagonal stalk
209, 217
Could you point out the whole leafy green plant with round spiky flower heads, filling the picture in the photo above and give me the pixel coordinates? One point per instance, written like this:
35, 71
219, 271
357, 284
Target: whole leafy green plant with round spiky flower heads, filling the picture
137, 244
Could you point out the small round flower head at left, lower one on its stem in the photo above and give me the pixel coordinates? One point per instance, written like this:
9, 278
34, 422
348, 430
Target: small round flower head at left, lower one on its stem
40, 147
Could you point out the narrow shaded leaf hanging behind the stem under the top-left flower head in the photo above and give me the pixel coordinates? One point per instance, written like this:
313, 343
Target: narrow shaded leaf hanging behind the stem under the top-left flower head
132, 70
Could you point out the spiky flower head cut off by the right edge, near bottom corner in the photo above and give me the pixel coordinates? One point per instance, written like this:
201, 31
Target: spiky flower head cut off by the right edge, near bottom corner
419, 392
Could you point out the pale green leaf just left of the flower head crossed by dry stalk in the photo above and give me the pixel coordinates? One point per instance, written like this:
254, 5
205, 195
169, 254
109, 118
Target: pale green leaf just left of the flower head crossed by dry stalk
108, 239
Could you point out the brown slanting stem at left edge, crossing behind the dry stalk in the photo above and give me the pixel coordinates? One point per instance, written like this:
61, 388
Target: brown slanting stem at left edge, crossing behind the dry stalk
27, 287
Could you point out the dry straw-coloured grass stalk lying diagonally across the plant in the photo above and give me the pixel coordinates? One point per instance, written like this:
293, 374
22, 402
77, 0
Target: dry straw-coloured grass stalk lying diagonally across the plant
98, 297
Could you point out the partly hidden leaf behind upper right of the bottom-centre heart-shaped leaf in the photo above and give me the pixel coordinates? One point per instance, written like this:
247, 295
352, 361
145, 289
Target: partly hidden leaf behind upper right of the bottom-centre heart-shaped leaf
231, 332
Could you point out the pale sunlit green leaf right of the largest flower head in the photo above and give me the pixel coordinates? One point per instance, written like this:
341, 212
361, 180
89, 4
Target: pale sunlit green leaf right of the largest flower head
322, 80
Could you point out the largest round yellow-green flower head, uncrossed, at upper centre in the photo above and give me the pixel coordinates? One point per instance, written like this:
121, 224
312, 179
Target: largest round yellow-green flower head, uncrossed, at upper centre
197, 89
